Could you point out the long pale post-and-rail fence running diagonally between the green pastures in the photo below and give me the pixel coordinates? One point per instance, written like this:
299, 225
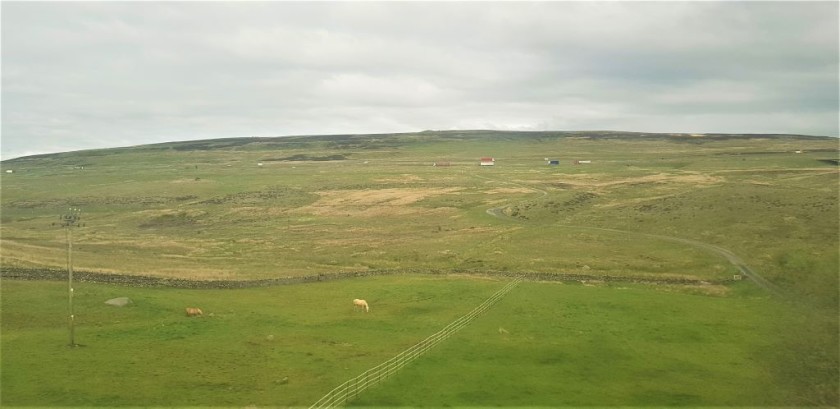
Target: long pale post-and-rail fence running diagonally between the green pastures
377, 374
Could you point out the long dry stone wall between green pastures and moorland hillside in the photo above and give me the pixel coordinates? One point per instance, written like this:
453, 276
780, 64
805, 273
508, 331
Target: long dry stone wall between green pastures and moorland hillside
133, 280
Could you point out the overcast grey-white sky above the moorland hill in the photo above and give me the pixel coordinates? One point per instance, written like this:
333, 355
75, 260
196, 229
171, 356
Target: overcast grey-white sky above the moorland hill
81, 75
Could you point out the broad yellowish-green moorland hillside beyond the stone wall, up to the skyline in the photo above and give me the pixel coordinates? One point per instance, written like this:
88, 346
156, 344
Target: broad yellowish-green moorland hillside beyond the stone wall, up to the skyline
206, 210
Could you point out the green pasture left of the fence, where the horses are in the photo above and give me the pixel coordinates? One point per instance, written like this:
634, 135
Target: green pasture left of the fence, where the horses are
279, 346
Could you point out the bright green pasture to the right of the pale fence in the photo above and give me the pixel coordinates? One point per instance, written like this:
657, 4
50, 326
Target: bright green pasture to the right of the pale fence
570, 345
